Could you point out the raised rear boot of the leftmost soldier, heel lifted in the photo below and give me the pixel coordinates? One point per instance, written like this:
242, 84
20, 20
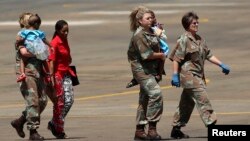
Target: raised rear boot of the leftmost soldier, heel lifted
18, 125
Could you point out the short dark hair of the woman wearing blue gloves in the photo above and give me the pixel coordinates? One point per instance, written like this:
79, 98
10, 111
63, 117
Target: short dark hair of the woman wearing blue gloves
187, 19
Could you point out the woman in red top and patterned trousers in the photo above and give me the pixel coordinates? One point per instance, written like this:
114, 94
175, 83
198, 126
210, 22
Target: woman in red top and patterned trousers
61, 60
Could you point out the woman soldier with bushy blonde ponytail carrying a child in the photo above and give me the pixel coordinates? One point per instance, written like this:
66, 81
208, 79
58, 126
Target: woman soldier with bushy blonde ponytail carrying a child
144, 56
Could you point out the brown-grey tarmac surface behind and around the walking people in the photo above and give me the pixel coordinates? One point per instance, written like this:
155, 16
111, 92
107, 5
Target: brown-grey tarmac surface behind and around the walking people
104, 110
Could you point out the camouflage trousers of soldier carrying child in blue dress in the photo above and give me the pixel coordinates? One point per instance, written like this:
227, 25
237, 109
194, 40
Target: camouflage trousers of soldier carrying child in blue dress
36, 100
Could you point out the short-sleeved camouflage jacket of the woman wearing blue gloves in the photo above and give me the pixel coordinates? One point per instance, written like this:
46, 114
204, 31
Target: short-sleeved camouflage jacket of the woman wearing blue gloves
191, 54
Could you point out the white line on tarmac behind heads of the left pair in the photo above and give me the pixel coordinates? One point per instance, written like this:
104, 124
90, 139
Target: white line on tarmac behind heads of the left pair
52, 23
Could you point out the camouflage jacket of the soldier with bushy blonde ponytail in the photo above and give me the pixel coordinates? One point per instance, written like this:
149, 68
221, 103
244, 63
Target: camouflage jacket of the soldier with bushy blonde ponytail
142, 45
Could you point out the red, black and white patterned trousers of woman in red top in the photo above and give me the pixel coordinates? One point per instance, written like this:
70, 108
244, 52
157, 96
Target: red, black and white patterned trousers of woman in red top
65, 100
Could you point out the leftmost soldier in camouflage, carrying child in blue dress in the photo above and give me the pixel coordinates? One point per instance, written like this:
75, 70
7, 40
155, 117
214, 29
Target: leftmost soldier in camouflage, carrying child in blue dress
32, 90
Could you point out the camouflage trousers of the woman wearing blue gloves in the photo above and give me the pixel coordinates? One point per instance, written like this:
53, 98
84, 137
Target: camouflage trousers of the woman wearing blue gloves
190, 98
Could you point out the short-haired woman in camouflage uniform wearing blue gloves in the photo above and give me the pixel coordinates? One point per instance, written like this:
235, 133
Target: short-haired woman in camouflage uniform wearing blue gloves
188, 71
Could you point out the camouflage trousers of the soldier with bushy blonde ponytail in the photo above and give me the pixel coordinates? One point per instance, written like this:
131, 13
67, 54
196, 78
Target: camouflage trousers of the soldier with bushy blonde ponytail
150, 106
